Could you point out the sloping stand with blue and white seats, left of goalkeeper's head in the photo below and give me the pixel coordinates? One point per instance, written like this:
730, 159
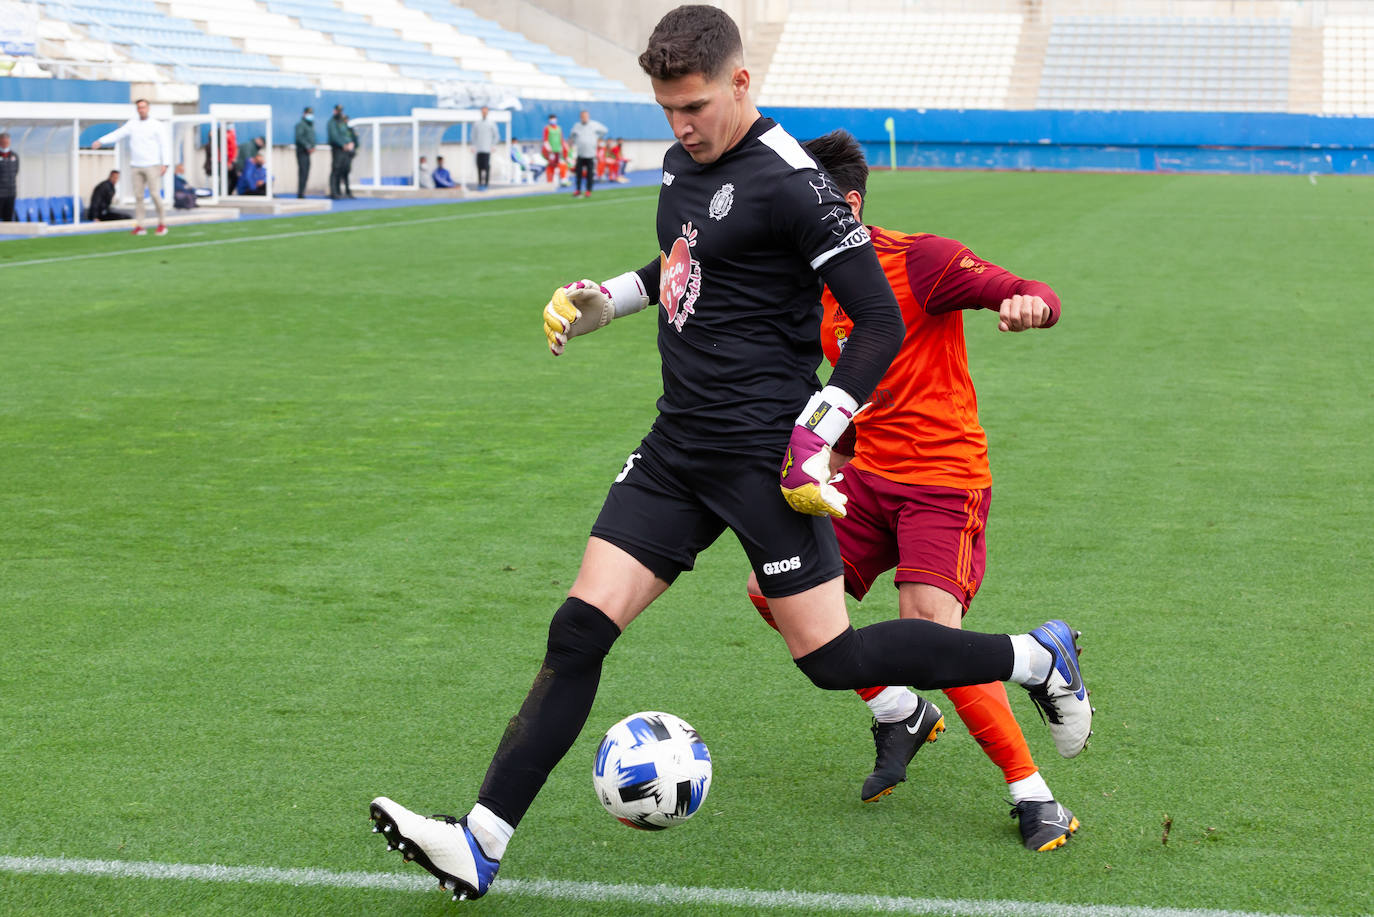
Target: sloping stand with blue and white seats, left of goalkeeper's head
365, 46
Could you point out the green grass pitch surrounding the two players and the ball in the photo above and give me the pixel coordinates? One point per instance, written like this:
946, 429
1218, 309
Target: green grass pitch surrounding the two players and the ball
288, 505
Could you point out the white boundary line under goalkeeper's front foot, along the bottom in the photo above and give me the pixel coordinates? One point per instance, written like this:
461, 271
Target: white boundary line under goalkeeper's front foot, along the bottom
571, 892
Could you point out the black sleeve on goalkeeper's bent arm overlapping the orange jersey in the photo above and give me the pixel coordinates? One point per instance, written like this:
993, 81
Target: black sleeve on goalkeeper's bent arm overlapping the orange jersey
862, 291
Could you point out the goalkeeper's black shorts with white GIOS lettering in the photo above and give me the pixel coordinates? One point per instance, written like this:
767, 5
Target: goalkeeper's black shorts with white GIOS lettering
668, 505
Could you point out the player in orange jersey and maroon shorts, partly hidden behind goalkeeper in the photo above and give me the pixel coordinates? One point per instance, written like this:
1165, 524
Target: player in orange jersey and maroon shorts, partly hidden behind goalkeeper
919, 486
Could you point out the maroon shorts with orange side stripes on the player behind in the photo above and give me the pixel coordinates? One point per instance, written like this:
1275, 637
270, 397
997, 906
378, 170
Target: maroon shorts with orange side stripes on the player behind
932, 535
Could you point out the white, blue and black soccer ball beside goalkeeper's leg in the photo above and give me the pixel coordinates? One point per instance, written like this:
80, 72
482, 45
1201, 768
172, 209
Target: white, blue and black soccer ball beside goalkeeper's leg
652, 771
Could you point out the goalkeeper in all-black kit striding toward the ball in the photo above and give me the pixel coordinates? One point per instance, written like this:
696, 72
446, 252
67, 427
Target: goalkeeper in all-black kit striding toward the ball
750, 228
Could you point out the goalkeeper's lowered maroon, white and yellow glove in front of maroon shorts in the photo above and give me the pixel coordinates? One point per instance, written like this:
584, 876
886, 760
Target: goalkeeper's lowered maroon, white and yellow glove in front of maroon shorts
807, 483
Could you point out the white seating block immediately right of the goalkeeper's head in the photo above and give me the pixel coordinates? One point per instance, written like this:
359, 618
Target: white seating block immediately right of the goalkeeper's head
936, 61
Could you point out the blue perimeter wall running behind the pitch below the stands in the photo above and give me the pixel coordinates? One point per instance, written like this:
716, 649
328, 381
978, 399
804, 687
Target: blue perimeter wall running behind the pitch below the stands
932, 140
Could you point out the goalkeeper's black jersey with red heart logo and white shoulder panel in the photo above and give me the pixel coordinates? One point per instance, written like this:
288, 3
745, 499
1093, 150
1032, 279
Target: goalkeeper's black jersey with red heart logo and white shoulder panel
744, 245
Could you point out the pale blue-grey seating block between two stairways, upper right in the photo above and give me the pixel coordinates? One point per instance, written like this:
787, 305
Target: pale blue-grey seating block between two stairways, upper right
1167, 64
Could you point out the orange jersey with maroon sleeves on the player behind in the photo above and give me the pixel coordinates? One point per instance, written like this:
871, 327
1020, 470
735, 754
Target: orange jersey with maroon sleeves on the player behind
923, 427
